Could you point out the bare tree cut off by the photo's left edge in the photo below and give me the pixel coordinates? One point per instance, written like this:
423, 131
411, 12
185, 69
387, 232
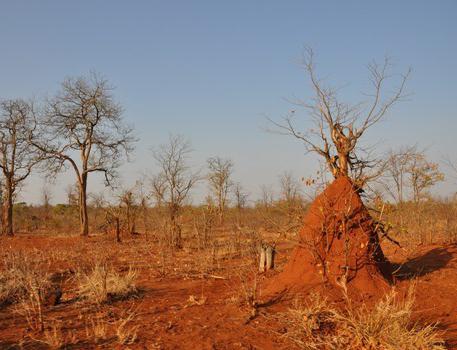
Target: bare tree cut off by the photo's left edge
17, 157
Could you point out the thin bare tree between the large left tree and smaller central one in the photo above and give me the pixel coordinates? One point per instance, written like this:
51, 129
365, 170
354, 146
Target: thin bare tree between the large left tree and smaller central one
174, 181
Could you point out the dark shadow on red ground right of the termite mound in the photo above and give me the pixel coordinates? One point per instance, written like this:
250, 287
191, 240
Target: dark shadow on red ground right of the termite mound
424, 264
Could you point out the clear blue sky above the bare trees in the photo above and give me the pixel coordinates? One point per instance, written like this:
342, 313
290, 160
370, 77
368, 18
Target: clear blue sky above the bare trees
211, 70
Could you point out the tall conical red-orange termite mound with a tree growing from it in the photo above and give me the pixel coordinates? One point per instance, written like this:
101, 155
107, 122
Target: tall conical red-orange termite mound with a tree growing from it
338, 247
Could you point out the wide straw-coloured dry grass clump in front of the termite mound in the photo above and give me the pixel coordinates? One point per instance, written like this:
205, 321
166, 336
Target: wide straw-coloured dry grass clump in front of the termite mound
389, 325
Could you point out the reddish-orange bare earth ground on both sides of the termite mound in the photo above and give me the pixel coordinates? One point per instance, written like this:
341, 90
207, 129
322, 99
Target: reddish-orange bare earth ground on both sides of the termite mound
178, 307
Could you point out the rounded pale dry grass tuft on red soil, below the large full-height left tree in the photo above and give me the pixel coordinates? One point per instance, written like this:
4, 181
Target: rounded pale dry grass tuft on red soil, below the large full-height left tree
102, 284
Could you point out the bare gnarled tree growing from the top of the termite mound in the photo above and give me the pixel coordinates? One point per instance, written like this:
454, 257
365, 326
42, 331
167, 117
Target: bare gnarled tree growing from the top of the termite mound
338, 126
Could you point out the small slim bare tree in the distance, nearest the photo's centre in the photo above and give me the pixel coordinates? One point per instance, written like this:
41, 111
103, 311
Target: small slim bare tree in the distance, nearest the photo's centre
220, 182
